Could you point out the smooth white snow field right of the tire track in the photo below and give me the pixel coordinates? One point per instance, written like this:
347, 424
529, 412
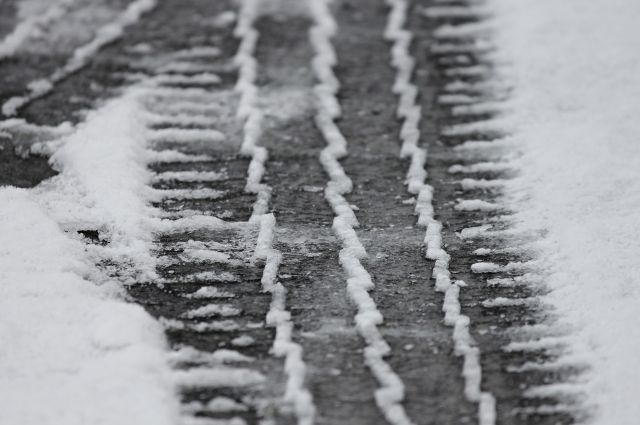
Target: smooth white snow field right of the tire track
575, 67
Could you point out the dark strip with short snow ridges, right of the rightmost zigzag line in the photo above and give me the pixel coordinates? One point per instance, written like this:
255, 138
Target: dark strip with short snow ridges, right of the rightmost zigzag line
522, 349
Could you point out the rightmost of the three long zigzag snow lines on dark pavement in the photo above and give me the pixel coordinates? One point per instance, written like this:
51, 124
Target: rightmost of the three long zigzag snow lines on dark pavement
410, 112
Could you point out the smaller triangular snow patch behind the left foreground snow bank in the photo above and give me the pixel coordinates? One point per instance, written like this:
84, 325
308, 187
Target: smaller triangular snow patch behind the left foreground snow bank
103, 183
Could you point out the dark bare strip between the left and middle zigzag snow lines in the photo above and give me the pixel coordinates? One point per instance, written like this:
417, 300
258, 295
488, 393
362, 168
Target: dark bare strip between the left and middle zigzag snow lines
342, 387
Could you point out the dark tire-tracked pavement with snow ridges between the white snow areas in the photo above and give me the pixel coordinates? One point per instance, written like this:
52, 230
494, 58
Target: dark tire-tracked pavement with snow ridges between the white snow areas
295, 280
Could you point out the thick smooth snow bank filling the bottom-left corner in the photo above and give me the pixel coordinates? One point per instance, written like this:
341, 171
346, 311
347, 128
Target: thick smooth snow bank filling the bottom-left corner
72, 354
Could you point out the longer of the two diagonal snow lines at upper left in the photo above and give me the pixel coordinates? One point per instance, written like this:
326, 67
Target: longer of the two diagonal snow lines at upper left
81, 56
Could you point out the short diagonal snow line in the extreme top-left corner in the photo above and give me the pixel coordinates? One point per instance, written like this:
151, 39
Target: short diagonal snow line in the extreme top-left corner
10, 44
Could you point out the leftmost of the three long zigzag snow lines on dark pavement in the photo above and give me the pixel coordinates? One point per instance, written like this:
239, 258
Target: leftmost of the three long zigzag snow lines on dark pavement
296, 392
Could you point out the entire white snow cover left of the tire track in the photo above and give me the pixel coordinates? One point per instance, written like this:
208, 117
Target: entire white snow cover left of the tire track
72, 346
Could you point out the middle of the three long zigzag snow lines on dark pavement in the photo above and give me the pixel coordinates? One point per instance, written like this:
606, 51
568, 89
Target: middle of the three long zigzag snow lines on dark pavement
390, 394
